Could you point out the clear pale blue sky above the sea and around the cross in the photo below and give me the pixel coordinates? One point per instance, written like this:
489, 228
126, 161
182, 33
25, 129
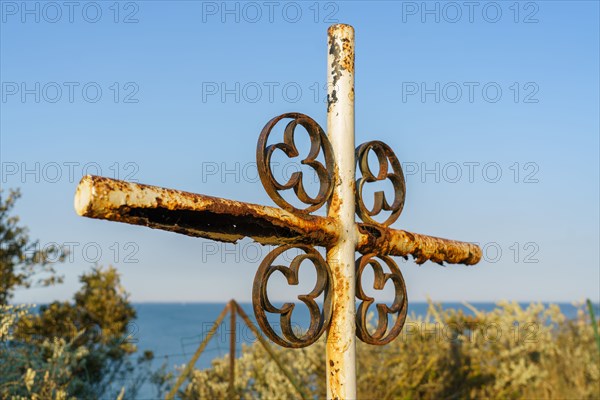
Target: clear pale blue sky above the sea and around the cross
468, 92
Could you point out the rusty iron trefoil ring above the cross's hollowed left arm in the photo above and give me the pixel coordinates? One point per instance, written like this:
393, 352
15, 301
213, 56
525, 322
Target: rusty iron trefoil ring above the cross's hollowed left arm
318, 142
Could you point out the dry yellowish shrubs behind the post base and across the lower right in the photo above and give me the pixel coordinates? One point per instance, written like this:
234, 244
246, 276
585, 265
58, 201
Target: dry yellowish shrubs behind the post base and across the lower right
508, 353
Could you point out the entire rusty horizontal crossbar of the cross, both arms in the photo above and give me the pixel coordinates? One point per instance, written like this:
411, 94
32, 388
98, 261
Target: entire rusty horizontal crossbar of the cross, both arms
227, 220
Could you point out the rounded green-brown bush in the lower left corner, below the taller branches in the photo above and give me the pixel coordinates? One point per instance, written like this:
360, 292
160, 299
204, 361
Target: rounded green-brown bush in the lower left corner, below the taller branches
72, 350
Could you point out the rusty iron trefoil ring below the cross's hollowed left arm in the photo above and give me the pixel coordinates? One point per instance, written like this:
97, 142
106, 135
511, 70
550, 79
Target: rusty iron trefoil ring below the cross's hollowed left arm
260, 301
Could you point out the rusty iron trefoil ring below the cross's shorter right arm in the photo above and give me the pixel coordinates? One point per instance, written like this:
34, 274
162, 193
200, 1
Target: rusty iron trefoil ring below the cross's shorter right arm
398, 307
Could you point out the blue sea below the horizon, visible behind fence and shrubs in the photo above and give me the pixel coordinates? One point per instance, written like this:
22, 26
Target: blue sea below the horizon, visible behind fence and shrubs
173, 331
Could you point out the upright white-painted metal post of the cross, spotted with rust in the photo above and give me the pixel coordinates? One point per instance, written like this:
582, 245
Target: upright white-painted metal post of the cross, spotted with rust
341, 338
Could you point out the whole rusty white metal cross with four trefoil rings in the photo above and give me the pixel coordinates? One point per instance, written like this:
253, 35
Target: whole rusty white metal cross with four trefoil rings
339, 275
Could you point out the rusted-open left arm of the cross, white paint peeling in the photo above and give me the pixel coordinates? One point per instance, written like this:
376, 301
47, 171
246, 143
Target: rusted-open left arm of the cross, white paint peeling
197, 215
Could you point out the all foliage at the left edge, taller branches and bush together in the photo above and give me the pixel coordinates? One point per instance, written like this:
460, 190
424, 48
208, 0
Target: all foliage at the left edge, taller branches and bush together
77, 349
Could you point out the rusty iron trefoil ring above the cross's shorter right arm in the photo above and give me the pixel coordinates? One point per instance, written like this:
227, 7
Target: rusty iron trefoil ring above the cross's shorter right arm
384, 155
